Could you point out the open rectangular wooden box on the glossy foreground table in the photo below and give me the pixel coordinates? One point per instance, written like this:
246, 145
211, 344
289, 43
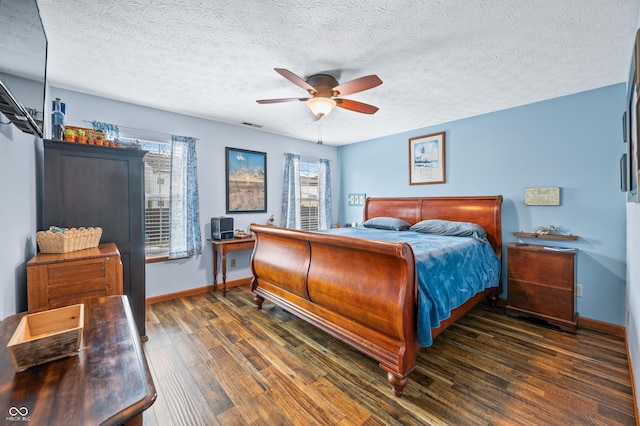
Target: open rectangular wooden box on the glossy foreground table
46, 336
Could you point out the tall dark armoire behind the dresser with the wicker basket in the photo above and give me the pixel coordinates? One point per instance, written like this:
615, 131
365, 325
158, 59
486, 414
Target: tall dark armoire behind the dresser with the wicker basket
91, 185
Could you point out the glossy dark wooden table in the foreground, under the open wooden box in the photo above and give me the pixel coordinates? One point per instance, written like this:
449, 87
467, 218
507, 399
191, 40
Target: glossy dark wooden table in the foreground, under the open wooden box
108, 382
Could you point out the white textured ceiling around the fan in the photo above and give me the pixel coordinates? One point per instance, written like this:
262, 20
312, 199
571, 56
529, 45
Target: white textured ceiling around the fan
440, 60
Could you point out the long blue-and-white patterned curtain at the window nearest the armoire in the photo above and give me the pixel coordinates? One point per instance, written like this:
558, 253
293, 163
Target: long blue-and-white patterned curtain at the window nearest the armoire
184, 227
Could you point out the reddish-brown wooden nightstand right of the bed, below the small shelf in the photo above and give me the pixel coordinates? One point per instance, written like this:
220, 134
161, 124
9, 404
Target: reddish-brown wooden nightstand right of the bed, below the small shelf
541, 284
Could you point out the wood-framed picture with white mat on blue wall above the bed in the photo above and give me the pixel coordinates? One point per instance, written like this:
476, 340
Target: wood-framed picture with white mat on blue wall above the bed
426, 159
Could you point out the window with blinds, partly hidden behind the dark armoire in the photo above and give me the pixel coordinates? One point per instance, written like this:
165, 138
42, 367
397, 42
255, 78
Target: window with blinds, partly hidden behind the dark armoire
157, 172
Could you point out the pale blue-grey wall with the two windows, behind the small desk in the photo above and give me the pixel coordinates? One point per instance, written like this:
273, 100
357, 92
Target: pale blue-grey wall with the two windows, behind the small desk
180, 275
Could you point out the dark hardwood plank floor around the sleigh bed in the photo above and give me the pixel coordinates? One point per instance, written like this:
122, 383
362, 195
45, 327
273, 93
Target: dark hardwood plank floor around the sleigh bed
220, 360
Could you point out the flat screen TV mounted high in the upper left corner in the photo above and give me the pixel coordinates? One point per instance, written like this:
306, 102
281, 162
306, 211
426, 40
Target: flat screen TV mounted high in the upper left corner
23, 63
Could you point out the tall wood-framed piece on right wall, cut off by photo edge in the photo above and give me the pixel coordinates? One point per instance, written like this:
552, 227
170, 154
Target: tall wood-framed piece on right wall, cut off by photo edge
631, 123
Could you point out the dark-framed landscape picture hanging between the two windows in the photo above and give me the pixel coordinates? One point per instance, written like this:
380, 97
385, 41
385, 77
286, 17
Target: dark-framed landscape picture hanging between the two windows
246, 173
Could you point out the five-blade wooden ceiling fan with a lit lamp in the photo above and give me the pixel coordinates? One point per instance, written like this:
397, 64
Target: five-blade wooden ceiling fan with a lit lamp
324, 88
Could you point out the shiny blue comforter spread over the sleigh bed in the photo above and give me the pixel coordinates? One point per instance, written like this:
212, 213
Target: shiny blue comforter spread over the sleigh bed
450, 270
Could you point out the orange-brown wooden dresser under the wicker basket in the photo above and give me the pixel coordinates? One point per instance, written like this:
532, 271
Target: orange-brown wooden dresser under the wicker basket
55, 280
